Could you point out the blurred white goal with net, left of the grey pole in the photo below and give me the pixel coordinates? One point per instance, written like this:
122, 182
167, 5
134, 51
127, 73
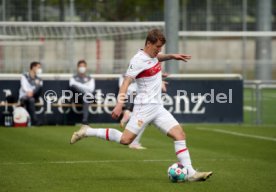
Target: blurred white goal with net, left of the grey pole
107, 46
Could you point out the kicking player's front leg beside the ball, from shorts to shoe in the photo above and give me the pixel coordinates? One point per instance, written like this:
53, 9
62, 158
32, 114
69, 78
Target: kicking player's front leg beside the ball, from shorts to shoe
168, 124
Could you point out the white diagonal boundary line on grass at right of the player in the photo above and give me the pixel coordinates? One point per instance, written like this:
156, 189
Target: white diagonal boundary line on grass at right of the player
237, 134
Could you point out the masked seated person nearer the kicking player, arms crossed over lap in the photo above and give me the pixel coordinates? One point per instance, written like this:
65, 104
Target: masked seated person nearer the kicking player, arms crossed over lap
84, 84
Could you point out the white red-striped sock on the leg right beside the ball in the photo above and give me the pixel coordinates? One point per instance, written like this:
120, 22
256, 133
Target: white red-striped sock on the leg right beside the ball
183, 155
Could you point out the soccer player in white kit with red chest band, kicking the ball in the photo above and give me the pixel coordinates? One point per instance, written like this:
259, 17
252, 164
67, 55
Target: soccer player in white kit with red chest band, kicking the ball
145, 67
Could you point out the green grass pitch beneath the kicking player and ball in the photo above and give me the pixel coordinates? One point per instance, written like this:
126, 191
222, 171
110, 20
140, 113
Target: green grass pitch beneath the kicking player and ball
41, 159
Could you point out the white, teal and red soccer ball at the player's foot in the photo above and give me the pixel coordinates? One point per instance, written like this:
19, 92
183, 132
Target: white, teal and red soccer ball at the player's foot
177, 172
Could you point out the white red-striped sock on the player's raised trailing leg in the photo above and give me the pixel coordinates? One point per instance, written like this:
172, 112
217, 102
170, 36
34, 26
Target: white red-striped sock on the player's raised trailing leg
108, 134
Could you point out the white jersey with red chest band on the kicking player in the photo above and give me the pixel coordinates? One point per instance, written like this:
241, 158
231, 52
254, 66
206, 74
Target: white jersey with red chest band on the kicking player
147, 73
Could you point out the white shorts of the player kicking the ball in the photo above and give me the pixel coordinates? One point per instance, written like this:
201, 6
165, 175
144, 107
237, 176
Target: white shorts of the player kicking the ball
143, 114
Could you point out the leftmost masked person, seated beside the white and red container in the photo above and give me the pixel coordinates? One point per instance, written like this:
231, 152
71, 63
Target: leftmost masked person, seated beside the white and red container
30, 90
